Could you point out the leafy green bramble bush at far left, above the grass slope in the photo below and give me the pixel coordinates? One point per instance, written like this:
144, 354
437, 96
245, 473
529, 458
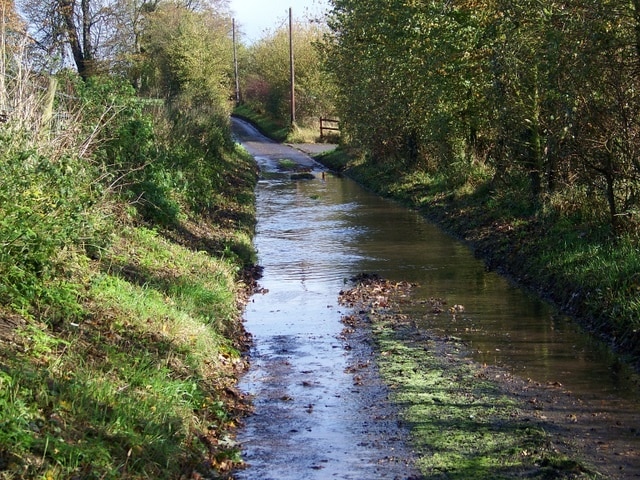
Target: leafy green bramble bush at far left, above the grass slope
47, 192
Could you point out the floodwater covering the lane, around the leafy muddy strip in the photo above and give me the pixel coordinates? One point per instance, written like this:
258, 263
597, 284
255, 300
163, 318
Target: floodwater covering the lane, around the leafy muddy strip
311, 419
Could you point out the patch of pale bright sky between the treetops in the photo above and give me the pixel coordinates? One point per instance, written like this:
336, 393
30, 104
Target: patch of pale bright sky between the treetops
254, 17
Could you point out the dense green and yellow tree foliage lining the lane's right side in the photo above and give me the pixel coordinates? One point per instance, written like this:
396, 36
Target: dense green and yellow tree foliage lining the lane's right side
543, 92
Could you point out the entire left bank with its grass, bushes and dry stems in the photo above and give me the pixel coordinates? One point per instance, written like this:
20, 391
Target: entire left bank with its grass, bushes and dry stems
126, 252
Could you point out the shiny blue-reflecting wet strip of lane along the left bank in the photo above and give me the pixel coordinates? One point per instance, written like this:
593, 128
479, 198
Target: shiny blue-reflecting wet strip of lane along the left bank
321, 411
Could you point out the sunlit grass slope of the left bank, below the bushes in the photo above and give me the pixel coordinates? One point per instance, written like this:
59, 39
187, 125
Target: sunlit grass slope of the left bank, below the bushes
140, 382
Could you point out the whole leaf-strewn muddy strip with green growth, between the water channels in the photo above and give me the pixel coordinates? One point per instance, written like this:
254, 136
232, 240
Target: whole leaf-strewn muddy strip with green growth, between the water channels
473, 421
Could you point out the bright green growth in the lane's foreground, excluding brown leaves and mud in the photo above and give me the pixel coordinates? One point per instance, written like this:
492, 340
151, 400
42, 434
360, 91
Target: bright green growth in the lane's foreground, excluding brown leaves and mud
464, 426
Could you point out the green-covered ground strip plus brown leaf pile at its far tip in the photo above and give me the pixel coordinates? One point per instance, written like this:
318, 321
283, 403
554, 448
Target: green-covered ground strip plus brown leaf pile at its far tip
463, 425
